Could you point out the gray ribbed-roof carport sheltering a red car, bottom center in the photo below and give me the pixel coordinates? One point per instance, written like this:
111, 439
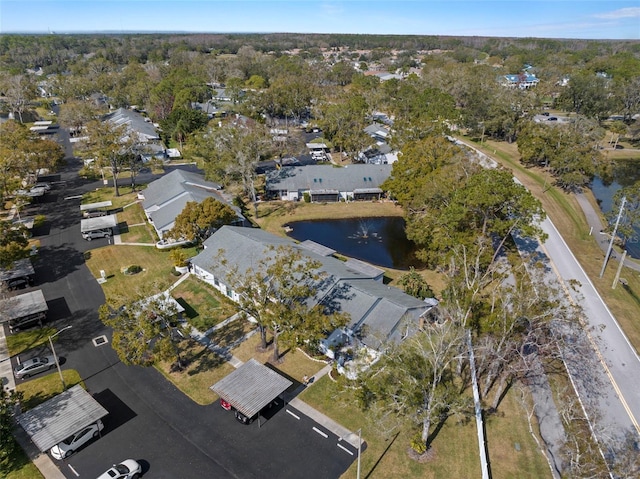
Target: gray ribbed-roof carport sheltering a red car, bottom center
251, 387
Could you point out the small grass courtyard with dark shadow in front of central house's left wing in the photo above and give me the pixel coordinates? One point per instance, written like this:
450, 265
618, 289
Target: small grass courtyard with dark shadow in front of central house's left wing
204, 305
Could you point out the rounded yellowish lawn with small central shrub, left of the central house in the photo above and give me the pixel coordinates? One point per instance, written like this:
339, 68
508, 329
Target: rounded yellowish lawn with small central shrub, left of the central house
156, 275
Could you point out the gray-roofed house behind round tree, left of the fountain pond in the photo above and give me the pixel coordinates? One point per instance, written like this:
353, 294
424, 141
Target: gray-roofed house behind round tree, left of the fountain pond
165, 198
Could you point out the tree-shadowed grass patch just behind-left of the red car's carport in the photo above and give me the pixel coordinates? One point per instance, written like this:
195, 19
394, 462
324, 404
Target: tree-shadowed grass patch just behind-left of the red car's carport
204, 369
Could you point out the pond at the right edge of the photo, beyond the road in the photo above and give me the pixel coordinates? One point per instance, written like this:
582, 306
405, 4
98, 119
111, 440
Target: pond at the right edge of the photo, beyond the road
625, 173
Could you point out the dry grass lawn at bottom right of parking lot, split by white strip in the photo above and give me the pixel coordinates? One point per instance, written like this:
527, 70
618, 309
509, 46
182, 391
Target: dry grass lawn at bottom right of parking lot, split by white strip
455, 447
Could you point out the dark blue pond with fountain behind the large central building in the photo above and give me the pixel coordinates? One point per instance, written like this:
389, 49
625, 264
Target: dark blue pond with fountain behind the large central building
379, 241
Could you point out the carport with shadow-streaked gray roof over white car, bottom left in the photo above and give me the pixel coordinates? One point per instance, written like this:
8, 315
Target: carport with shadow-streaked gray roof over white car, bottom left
61, 416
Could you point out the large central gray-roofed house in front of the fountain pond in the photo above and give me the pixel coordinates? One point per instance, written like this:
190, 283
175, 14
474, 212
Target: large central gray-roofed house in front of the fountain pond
378, 312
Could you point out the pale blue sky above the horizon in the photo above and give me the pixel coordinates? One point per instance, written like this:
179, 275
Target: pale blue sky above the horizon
592, 19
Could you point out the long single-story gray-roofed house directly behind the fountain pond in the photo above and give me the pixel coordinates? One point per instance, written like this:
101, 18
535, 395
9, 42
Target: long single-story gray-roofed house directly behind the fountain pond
326, 183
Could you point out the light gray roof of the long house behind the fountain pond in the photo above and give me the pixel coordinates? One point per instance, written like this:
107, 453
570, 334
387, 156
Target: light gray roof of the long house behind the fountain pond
317, 177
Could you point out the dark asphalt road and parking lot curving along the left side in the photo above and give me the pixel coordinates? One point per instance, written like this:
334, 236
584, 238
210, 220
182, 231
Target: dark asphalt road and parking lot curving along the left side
150, 420
